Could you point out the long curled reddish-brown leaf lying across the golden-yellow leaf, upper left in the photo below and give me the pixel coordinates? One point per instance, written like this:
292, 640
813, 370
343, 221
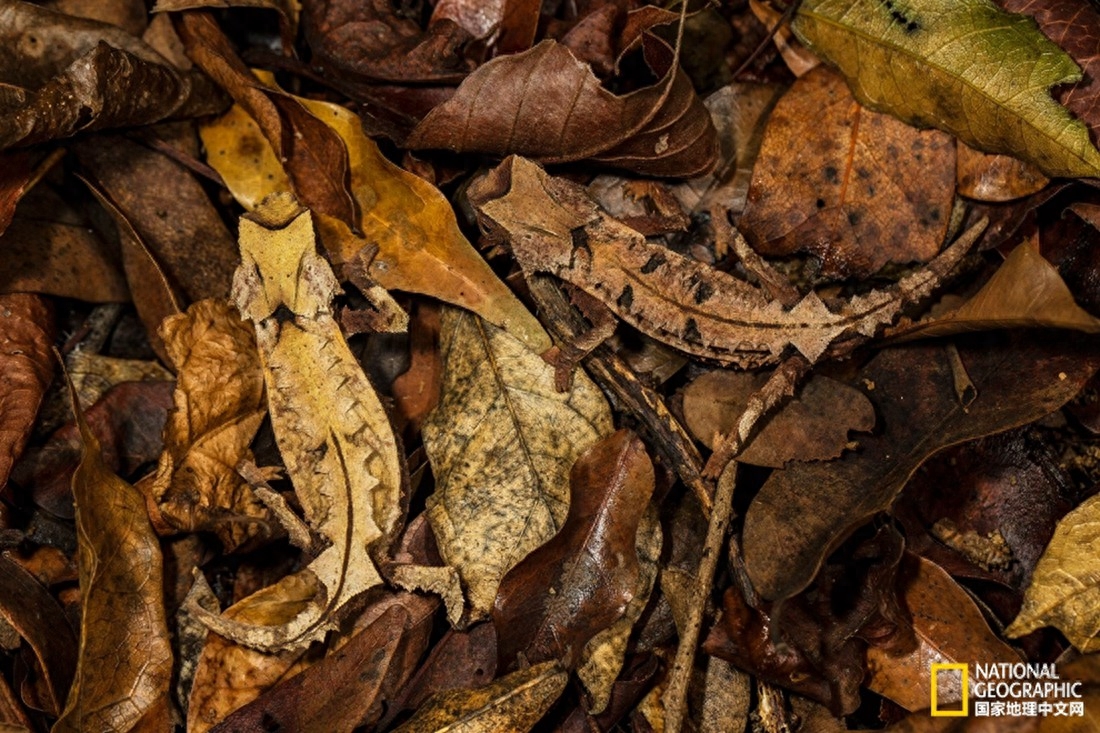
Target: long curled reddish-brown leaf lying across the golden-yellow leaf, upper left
316, 158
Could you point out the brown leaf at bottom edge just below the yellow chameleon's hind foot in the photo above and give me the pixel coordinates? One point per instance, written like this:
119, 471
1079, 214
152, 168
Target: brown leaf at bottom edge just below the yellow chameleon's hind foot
353, 686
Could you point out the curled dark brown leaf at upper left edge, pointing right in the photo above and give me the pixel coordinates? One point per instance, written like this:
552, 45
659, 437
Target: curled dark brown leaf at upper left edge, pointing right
105, 89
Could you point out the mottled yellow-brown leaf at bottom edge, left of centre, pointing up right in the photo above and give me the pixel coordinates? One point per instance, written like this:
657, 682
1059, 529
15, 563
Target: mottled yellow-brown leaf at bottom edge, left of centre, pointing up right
511, 704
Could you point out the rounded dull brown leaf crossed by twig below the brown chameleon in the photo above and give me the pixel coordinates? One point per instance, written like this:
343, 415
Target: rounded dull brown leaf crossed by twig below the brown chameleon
813, 426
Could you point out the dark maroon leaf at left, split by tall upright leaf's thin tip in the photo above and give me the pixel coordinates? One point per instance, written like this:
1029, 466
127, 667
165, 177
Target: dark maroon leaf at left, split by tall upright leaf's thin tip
127, 422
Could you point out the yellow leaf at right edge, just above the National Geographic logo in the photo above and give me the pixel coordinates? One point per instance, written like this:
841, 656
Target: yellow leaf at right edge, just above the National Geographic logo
1065, 588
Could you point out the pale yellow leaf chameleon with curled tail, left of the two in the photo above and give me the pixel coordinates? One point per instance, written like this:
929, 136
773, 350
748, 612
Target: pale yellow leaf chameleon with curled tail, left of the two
332, 429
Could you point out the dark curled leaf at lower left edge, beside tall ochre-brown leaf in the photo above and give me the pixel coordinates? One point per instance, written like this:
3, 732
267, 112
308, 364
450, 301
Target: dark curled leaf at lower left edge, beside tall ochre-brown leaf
37, 617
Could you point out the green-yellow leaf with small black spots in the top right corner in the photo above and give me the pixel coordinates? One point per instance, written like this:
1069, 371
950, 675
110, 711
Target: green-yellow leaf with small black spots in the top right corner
964, 67
